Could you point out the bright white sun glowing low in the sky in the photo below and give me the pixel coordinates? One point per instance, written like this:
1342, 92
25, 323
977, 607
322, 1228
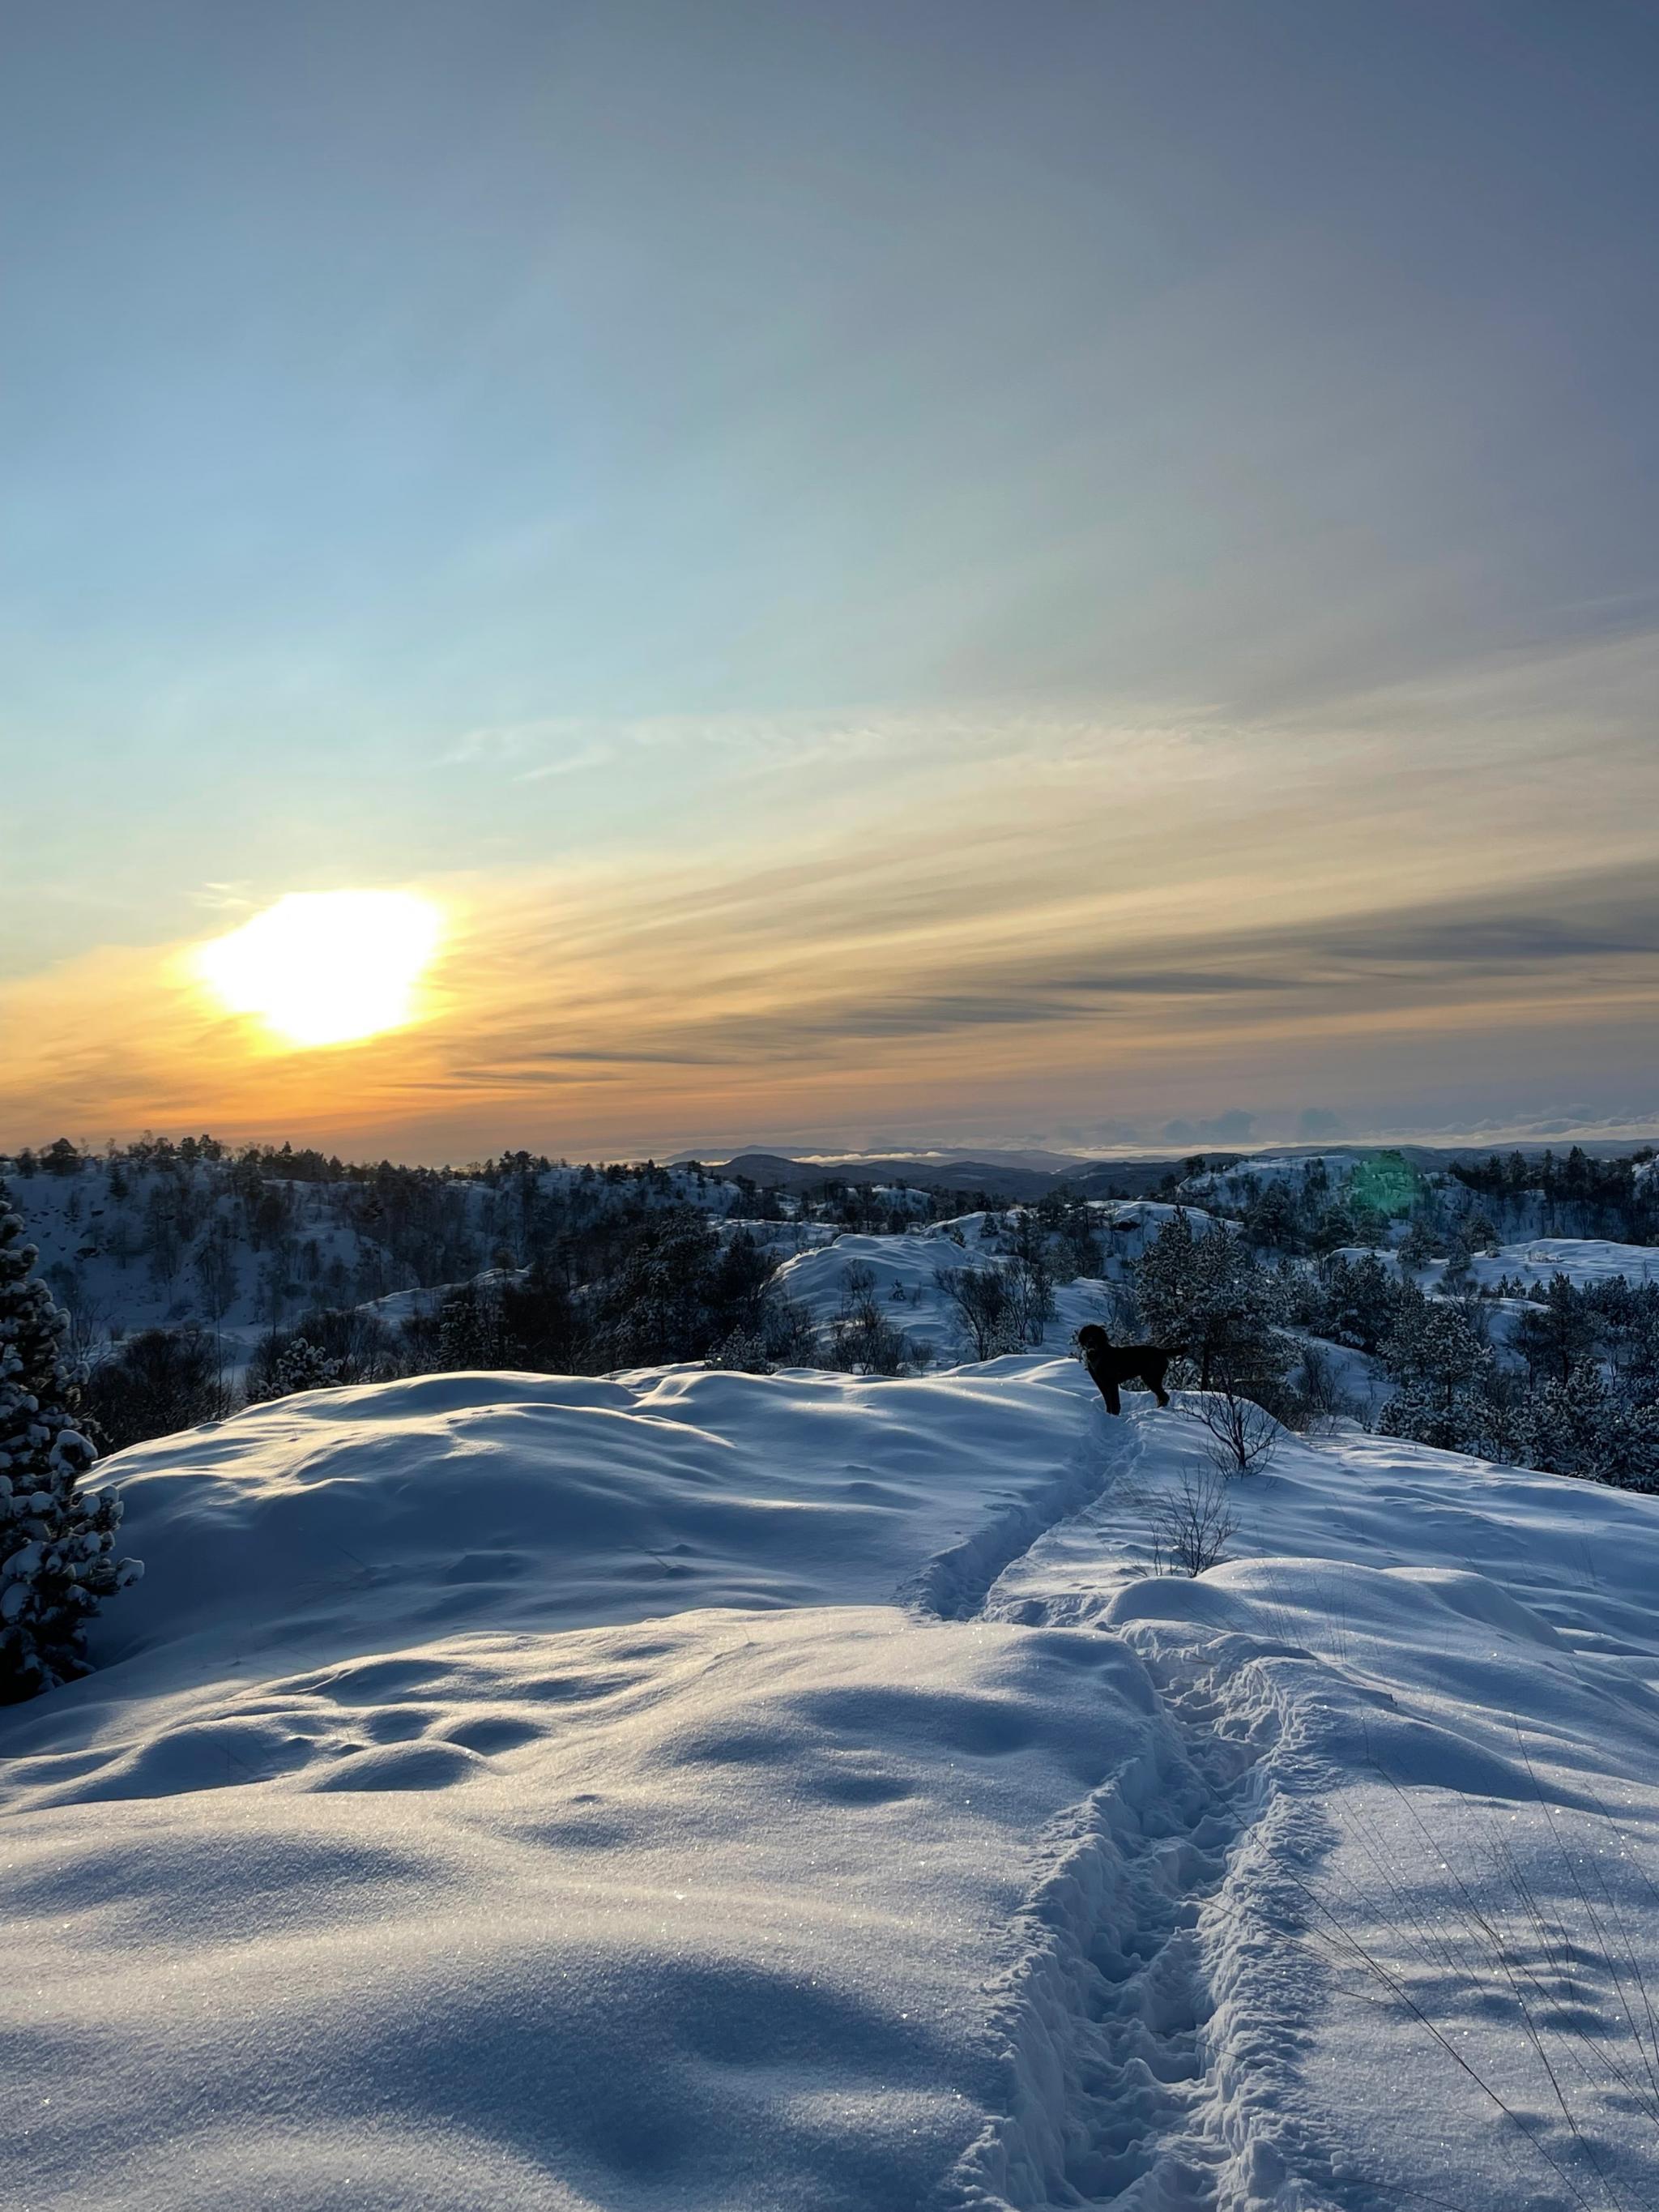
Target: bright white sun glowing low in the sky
326, 968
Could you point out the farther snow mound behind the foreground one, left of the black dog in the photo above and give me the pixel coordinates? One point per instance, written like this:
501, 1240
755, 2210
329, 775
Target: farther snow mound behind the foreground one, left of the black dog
348, 1519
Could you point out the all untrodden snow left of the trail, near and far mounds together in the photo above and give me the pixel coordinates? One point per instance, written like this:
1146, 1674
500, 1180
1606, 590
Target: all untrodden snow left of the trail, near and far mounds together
415, 1846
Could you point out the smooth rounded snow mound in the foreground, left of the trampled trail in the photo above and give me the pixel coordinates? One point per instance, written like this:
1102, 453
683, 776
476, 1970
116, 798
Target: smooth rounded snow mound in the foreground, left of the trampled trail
678, 1917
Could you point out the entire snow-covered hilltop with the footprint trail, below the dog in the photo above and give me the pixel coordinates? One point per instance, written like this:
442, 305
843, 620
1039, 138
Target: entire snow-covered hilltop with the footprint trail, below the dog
758, 1793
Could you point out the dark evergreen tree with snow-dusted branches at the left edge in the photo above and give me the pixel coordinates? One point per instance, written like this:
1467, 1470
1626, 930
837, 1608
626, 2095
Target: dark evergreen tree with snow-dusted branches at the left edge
56, 1545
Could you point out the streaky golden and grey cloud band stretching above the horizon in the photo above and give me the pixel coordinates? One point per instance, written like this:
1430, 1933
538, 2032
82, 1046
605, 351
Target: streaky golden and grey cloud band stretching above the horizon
1032, 926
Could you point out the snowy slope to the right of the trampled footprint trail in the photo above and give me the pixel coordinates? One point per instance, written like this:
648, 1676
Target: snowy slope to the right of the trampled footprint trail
1426, 1695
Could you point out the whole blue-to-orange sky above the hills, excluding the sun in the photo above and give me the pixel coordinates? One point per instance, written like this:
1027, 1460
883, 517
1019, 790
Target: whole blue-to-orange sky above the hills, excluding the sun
901, 574
